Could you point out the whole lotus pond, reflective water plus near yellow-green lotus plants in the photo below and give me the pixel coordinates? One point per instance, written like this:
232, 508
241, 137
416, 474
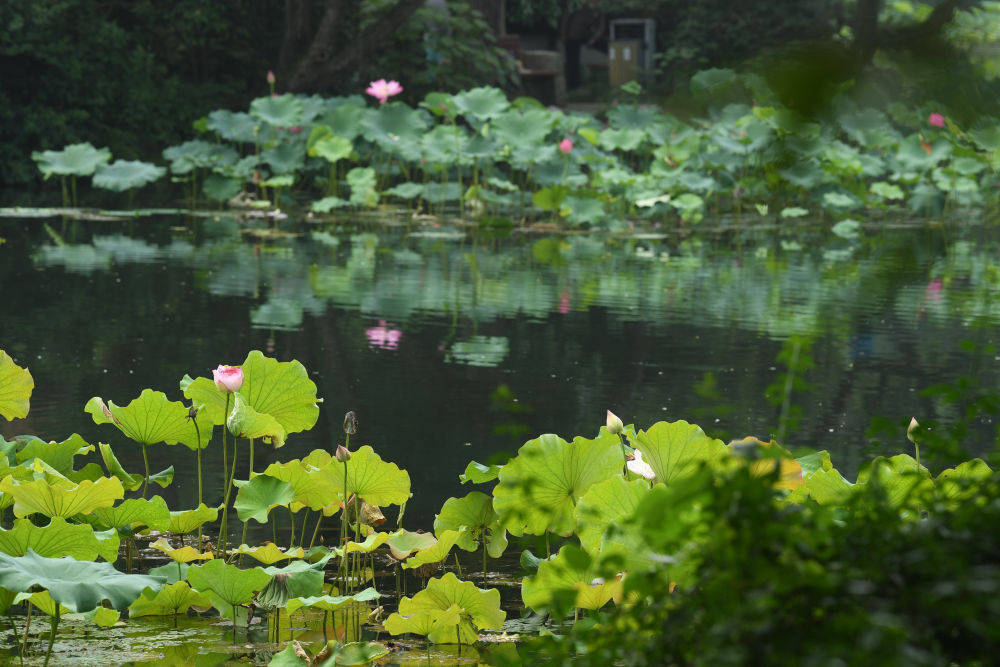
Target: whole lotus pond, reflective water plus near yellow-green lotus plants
451, 346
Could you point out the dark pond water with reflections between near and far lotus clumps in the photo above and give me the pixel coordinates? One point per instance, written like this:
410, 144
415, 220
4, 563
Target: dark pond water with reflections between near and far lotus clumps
453, 346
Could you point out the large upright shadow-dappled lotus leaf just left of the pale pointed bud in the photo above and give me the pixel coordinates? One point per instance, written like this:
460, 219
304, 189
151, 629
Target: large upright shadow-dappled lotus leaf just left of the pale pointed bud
539, 488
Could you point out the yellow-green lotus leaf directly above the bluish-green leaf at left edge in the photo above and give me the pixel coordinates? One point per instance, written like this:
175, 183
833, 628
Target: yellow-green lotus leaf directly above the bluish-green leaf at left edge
59, 538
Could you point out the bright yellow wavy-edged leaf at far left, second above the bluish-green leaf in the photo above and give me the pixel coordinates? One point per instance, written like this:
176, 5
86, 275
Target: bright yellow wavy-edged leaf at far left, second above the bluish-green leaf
61, 498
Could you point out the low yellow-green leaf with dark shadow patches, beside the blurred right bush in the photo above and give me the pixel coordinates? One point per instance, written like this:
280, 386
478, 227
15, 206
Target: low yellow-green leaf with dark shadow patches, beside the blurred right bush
566, 581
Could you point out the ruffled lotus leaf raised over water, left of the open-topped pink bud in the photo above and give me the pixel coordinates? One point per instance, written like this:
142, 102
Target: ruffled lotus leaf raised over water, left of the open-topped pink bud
152, 418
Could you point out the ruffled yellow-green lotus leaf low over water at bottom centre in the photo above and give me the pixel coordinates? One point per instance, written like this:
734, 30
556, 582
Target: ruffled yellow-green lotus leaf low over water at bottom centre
480, 609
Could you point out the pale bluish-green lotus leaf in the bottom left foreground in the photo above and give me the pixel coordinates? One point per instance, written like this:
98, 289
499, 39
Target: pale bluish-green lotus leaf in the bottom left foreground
78, 585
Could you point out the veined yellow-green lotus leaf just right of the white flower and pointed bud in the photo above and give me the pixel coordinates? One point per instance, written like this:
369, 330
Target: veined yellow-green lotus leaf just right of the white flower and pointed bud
676, 449
